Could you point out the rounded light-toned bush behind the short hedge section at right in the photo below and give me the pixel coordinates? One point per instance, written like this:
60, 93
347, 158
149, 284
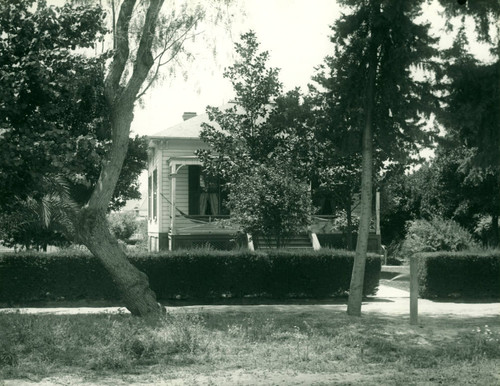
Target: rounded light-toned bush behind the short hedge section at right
436, 235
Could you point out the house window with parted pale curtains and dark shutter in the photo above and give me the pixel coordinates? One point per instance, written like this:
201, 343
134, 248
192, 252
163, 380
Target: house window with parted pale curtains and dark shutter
207, 195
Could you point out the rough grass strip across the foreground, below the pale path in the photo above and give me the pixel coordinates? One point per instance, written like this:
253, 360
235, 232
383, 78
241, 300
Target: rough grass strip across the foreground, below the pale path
243, 347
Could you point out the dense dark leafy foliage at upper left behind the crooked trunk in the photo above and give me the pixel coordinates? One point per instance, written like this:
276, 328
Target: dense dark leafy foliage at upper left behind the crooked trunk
55, 121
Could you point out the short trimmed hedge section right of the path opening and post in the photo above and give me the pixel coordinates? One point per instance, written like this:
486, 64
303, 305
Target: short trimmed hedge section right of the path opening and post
459, 274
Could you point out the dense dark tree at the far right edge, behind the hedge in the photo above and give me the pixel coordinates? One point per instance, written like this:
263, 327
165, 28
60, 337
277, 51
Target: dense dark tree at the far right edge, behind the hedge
470, 113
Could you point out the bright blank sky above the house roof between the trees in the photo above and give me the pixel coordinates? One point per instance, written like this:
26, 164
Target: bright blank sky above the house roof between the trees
296, 34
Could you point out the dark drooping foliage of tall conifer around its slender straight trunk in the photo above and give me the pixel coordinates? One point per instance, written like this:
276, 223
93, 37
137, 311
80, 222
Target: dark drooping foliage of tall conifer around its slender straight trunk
400, 100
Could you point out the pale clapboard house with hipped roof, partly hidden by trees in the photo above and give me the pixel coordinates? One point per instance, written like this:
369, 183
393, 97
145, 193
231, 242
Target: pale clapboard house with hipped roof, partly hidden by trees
185, 207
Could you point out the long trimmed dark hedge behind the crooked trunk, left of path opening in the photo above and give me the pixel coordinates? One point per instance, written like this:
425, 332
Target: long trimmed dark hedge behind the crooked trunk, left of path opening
195, 274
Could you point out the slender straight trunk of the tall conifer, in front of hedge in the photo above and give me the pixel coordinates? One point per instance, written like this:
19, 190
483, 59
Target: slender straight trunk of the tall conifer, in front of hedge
358, 270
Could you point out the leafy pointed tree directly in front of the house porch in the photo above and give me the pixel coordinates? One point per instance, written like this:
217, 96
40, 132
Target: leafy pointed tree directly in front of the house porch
251, 141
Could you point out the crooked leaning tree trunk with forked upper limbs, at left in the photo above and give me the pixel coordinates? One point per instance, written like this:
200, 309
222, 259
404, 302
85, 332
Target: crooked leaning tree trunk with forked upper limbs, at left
90, 222
